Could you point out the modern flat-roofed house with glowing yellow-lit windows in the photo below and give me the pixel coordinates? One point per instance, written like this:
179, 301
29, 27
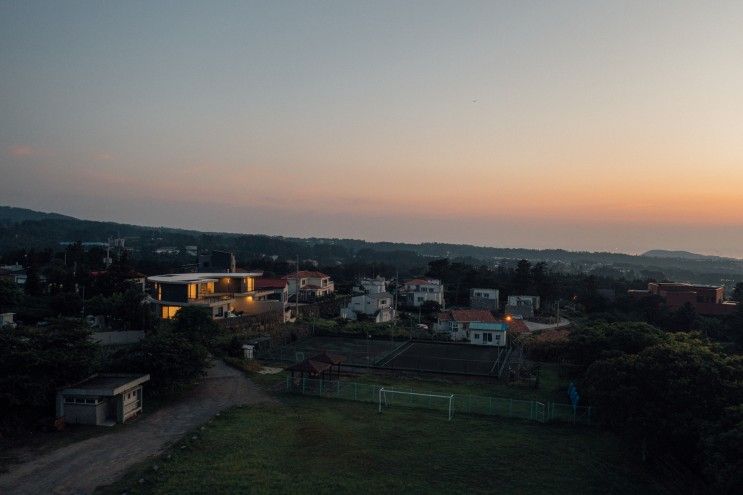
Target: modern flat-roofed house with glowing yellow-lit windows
225, 294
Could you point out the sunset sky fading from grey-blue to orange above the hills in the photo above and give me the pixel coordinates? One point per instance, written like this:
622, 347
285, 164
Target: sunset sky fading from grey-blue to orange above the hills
588, 125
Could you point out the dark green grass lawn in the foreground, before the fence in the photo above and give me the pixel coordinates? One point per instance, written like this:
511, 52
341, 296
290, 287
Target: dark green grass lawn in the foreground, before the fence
315, 445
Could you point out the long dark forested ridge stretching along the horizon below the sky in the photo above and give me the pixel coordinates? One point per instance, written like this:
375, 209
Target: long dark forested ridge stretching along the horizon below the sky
27, 229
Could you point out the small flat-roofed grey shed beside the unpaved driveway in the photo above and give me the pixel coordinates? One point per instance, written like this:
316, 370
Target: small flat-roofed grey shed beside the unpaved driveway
102, 399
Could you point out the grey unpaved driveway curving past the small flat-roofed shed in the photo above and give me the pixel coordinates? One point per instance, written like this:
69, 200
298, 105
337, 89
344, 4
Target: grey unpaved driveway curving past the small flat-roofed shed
80, 467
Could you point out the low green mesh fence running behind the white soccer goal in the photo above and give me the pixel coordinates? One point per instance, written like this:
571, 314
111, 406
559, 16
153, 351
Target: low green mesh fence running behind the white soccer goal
462, 404
